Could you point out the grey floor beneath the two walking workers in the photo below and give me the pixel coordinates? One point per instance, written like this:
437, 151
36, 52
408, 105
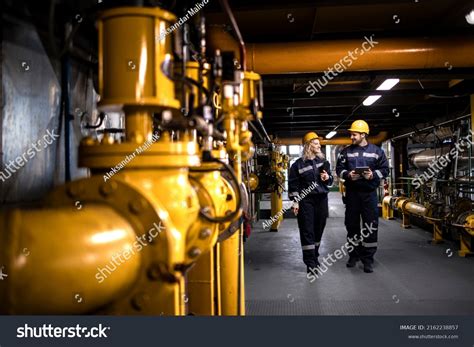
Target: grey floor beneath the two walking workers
412, 276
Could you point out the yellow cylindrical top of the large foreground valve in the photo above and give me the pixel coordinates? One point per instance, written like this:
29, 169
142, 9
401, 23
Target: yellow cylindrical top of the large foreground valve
132, 63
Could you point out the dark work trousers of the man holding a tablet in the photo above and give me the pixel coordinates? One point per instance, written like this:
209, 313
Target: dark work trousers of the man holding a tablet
362, 204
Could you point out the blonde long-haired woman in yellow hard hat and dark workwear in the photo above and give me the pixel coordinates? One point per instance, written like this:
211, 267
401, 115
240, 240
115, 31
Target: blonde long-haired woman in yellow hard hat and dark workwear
308, 184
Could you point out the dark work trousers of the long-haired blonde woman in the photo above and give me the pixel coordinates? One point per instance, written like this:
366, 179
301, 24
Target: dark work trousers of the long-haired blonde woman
312, 214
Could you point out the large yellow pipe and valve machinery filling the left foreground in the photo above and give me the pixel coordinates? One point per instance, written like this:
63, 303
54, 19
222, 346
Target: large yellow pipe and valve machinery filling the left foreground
163, 200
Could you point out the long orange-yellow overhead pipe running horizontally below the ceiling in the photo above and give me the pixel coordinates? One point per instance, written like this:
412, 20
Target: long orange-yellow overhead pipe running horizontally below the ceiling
317, 56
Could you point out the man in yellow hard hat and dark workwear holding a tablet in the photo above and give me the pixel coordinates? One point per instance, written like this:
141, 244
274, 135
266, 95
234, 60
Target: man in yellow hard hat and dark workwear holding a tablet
362, 166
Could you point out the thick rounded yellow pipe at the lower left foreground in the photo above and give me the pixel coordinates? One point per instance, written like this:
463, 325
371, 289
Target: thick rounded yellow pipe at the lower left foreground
53, 258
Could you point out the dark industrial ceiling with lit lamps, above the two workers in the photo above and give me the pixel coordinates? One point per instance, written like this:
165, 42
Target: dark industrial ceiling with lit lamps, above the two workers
422, 96
